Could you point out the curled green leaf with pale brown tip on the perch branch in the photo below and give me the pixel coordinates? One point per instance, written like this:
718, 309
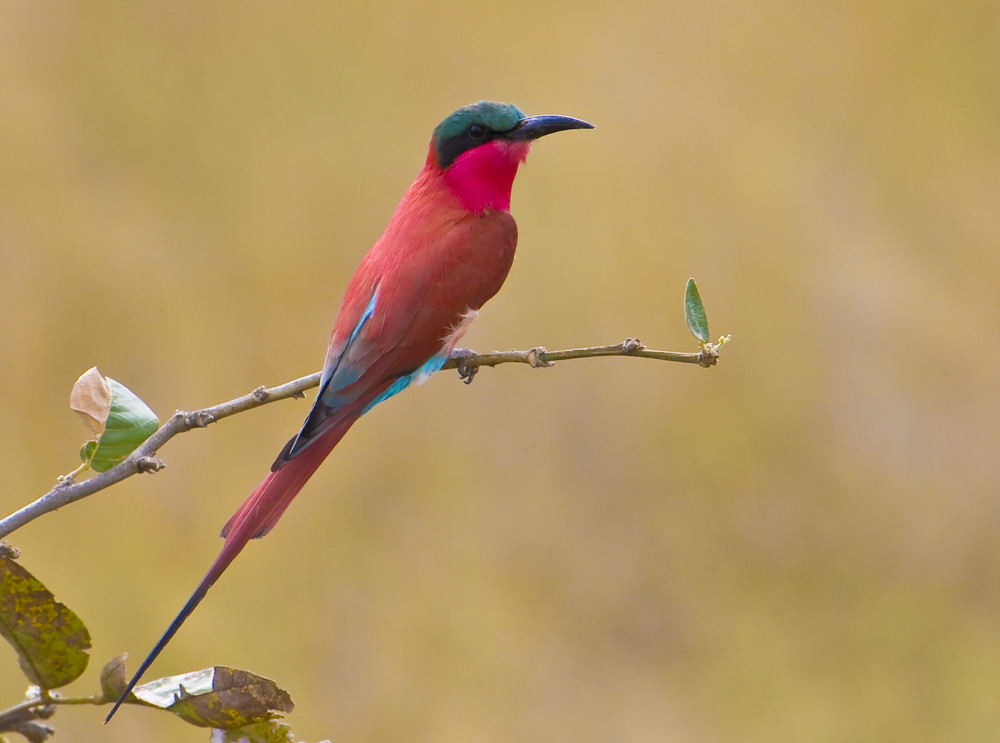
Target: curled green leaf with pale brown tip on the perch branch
118, 419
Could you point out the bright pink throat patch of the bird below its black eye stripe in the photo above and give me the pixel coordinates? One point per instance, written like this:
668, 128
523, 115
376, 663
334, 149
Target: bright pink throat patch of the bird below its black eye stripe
482, 178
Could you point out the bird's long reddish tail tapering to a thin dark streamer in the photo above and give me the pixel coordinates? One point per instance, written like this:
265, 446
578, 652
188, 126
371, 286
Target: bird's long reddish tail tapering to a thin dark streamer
254, 518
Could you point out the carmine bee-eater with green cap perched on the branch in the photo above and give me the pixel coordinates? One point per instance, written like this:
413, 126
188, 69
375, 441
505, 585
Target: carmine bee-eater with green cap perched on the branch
446, 250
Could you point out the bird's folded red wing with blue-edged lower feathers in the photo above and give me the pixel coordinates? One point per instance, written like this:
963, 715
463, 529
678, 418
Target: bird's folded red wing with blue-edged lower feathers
398, 310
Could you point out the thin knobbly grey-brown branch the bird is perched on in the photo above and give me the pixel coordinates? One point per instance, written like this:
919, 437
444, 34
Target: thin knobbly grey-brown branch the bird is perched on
143, 459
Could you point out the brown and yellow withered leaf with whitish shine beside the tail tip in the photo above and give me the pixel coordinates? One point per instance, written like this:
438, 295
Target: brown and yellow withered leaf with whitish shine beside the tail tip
218, 697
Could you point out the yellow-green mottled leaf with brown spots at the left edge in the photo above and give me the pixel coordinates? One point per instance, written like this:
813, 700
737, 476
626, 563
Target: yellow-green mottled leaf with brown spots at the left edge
51, 641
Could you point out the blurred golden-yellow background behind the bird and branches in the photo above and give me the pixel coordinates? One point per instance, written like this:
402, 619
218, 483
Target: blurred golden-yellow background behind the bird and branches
799, 545
